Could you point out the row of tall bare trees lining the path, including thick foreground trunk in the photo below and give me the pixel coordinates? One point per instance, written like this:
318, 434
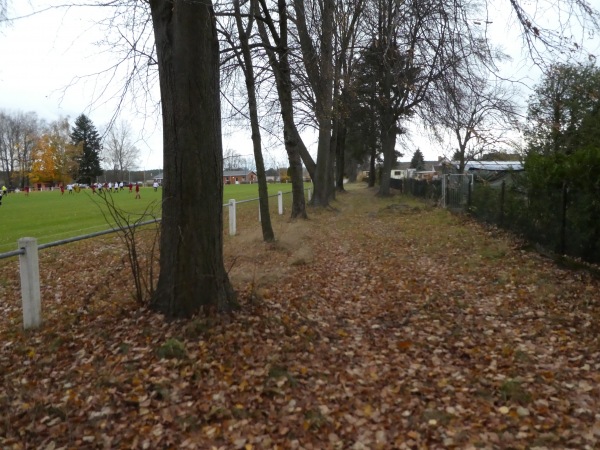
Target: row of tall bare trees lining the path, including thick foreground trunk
356, 71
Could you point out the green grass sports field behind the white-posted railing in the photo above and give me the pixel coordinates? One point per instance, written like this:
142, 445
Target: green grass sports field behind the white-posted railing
50, 216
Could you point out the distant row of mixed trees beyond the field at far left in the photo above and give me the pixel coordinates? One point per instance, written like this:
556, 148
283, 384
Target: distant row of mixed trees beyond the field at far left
33, 151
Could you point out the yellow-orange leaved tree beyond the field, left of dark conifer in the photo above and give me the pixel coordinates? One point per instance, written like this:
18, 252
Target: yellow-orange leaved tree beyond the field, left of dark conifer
54, 157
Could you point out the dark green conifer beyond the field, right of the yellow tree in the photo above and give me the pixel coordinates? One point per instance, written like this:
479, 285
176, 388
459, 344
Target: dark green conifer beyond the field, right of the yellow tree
86, 136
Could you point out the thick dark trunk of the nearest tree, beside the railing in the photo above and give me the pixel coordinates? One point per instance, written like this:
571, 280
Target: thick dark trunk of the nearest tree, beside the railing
192, 274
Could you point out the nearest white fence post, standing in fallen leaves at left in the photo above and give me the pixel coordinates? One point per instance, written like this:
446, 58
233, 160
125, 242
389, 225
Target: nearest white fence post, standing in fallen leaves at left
30, 283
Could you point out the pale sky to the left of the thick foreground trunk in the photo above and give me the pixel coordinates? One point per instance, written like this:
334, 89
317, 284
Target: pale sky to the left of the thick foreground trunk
42, 55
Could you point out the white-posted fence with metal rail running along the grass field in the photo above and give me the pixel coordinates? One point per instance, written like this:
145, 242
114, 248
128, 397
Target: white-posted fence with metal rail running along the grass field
28, 250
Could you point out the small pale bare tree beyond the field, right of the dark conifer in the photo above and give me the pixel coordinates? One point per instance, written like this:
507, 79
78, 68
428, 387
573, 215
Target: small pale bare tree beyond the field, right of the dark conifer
119, 149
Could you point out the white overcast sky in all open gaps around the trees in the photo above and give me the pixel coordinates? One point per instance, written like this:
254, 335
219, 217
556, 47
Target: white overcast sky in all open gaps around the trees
43, 55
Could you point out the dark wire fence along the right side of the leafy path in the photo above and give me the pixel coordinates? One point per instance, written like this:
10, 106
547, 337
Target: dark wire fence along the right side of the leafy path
563, 219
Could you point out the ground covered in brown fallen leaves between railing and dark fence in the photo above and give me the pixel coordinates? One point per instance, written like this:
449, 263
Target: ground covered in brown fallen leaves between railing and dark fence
384, 323
